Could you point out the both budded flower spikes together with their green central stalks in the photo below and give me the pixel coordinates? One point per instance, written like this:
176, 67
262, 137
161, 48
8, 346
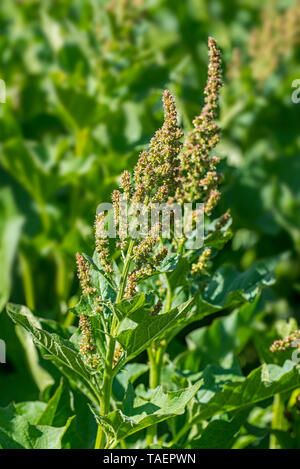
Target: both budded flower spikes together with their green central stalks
172, 170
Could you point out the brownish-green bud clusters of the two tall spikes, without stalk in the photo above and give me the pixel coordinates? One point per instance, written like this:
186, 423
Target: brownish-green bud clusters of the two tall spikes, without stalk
169, 171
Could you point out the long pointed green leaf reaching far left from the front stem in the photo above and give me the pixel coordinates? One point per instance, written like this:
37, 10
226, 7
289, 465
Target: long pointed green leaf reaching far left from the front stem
62, 350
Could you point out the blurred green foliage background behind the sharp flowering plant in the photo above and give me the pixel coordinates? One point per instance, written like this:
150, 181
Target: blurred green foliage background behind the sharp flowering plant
84, 80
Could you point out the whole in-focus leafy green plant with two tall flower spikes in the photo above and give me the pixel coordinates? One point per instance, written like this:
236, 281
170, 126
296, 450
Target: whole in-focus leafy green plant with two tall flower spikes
139, 294
